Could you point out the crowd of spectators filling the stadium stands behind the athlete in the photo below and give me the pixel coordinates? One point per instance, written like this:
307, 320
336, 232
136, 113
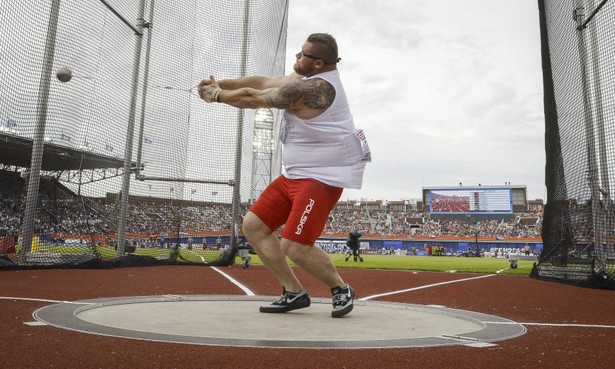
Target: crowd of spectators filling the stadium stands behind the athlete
94, 216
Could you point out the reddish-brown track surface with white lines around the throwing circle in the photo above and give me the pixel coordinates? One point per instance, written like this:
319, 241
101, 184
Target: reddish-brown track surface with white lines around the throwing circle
520, 299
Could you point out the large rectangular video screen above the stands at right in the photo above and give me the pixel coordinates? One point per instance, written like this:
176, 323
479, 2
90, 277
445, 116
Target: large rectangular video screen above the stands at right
471, 201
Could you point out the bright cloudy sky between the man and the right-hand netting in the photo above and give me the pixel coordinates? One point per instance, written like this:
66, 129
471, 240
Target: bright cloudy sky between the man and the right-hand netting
446, 91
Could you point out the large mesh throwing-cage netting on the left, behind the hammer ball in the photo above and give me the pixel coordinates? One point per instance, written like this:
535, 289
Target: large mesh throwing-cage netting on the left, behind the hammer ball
124, 163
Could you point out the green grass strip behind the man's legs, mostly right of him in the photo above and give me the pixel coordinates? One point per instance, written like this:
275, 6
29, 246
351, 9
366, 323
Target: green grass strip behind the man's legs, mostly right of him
430, 263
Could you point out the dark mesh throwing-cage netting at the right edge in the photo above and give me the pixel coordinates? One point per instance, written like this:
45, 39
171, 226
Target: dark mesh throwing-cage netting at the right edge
578, 58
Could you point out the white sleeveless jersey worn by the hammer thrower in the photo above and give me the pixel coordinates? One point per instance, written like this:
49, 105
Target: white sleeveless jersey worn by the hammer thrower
328, 147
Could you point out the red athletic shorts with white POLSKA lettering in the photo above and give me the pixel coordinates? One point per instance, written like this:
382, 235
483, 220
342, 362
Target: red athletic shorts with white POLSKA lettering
301, 205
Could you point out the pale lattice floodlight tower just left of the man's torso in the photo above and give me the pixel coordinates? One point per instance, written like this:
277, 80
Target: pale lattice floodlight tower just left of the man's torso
262, 152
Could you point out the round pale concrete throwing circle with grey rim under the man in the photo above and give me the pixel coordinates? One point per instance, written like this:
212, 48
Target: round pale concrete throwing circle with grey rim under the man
236, 321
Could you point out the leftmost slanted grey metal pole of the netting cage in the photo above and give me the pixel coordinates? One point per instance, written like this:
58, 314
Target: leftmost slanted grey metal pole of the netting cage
39, 133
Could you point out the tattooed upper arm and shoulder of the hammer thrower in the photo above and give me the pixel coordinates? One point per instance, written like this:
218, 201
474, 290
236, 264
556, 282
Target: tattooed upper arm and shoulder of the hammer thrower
316, 93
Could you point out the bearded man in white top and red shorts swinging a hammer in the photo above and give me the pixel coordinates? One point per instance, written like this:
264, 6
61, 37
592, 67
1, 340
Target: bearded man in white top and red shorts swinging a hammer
323, 153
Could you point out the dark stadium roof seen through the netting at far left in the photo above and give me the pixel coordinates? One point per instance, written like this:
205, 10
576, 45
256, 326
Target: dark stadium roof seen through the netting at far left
17, 151
